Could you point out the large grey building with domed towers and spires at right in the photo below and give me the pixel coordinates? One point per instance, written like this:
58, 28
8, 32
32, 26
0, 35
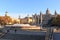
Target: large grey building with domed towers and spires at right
44, 17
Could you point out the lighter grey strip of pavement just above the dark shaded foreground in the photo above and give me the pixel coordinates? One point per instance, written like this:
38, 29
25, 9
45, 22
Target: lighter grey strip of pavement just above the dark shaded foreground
26, 32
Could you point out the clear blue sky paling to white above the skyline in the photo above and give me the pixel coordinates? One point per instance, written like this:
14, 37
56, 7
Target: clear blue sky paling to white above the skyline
28, 7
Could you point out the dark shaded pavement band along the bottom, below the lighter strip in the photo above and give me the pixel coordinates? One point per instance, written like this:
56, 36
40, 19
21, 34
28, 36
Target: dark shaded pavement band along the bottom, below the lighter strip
23, 37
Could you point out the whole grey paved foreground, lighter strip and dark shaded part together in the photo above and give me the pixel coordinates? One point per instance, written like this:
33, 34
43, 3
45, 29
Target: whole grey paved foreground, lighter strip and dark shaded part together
23, 35
